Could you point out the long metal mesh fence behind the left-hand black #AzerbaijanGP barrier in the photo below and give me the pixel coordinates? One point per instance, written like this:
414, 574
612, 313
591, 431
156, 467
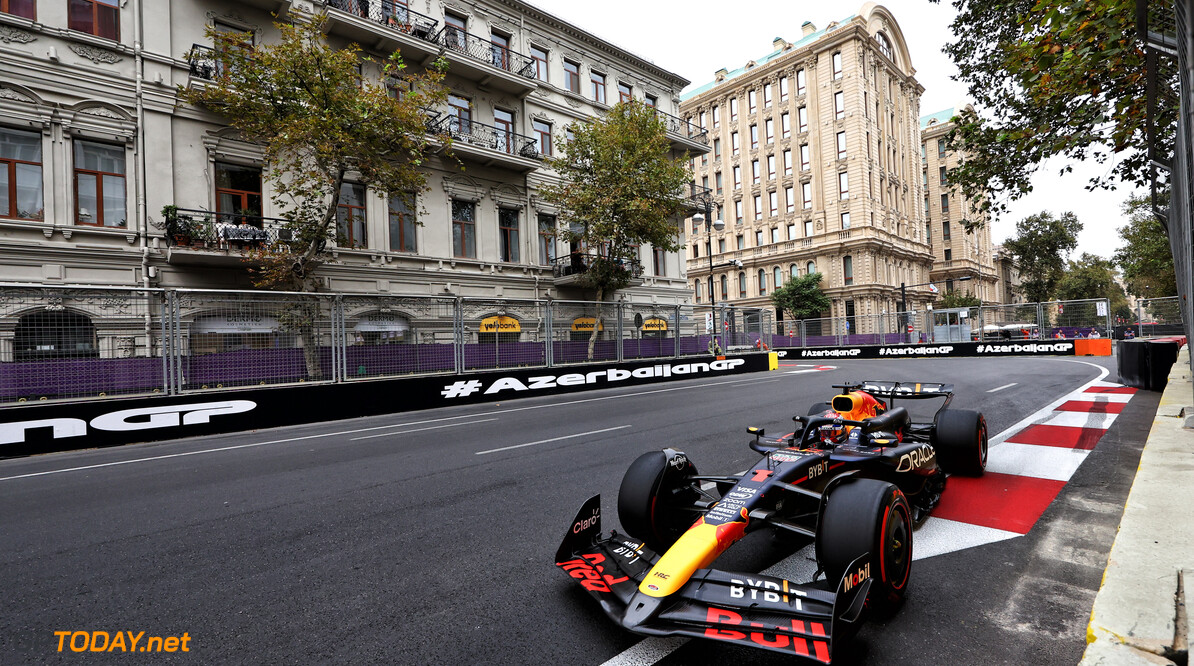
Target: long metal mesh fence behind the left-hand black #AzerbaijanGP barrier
88, 343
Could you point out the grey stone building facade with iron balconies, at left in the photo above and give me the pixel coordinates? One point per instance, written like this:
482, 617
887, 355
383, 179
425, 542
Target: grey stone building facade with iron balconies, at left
95, 145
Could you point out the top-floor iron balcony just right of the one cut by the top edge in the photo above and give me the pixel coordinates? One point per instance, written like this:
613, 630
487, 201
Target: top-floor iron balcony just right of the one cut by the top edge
489, 64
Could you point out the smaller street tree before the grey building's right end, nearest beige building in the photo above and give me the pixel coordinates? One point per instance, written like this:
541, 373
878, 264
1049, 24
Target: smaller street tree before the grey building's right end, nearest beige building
619, 188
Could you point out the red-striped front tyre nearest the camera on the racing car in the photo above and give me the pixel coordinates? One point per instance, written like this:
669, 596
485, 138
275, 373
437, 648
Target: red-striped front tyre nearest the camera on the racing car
869, 516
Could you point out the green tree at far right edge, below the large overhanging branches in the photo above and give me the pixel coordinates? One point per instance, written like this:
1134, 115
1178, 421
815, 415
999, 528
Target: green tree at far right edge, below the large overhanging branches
1146, 257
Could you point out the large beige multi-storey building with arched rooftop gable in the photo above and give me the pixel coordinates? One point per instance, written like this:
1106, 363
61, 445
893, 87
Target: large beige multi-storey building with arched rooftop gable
816, 169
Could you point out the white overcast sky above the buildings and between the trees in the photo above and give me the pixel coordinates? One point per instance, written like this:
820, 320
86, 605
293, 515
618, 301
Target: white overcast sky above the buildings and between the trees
697, 39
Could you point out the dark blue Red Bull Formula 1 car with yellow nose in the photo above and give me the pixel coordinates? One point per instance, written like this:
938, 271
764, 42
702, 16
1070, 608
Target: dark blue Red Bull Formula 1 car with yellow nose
857, 477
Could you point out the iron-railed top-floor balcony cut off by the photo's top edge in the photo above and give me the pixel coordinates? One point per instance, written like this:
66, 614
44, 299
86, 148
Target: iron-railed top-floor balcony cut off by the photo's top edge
386, 23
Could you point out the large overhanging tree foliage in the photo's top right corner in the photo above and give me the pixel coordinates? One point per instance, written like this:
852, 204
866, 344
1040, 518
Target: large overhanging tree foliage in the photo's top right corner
1051, 78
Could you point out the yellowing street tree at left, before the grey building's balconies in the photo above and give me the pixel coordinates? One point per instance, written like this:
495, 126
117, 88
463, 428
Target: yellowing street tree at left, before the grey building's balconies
321, 124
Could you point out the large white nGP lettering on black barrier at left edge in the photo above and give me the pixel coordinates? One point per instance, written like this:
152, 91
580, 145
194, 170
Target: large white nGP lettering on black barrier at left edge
125, 421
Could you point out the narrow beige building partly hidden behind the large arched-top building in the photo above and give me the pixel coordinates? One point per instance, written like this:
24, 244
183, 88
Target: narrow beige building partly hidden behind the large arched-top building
962, 261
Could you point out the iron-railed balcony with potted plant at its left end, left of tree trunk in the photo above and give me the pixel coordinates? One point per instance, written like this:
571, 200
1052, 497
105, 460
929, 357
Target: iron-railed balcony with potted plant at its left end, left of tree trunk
221, 235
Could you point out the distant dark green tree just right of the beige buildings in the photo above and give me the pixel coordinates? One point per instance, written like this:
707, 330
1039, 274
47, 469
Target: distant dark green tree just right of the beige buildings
1042, 245
